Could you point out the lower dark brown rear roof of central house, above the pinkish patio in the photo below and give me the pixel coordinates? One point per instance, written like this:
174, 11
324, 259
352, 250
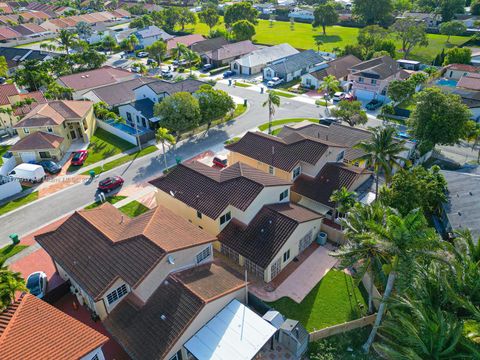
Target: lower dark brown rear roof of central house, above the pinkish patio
266, 234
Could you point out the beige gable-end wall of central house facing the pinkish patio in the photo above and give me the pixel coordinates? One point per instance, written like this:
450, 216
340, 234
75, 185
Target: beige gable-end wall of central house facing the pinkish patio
293, 243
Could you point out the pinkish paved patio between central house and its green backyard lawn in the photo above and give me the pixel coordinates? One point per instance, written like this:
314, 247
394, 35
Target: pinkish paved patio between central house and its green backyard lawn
303, 279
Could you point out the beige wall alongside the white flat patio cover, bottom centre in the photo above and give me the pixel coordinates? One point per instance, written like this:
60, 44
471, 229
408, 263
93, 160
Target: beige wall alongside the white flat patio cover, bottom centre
205, 315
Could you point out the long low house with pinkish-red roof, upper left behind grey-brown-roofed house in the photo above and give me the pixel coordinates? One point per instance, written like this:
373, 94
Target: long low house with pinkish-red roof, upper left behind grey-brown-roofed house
83, 82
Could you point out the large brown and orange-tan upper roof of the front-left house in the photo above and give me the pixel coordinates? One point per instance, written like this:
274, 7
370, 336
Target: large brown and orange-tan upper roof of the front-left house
98, 246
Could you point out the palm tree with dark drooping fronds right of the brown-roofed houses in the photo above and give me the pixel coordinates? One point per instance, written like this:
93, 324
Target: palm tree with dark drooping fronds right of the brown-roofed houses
381, 153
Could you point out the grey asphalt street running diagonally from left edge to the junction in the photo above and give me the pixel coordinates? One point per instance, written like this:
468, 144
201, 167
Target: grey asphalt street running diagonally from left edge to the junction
50, 208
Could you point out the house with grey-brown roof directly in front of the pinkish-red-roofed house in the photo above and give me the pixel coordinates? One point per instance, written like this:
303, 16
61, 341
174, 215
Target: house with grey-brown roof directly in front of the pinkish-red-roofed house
118, 94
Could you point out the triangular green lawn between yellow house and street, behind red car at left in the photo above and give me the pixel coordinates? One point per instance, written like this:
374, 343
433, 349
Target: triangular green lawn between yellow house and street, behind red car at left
103, 145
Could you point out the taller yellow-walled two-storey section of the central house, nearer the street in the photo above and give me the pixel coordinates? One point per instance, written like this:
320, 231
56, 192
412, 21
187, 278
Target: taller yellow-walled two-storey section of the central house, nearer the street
210, 198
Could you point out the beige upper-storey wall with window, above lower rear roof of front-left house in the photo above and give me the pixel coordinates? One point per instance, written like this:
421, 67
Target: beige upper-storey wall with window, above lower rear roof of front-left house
183, 259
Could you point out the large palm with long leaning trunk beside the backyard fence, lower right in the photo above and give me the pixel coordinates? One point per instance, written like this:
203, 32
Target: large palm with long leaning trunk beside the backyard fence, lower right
402, 240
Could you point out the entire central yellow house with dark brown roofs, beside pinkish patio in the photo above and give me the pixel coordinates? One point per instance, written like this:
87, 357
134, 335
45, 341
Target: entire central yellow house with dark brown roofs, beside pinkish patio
247, 208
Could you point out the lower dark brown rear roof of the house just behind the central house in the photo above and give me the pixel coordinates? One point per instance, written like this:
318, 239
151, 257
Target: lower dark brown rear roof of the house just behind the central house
333, 176
